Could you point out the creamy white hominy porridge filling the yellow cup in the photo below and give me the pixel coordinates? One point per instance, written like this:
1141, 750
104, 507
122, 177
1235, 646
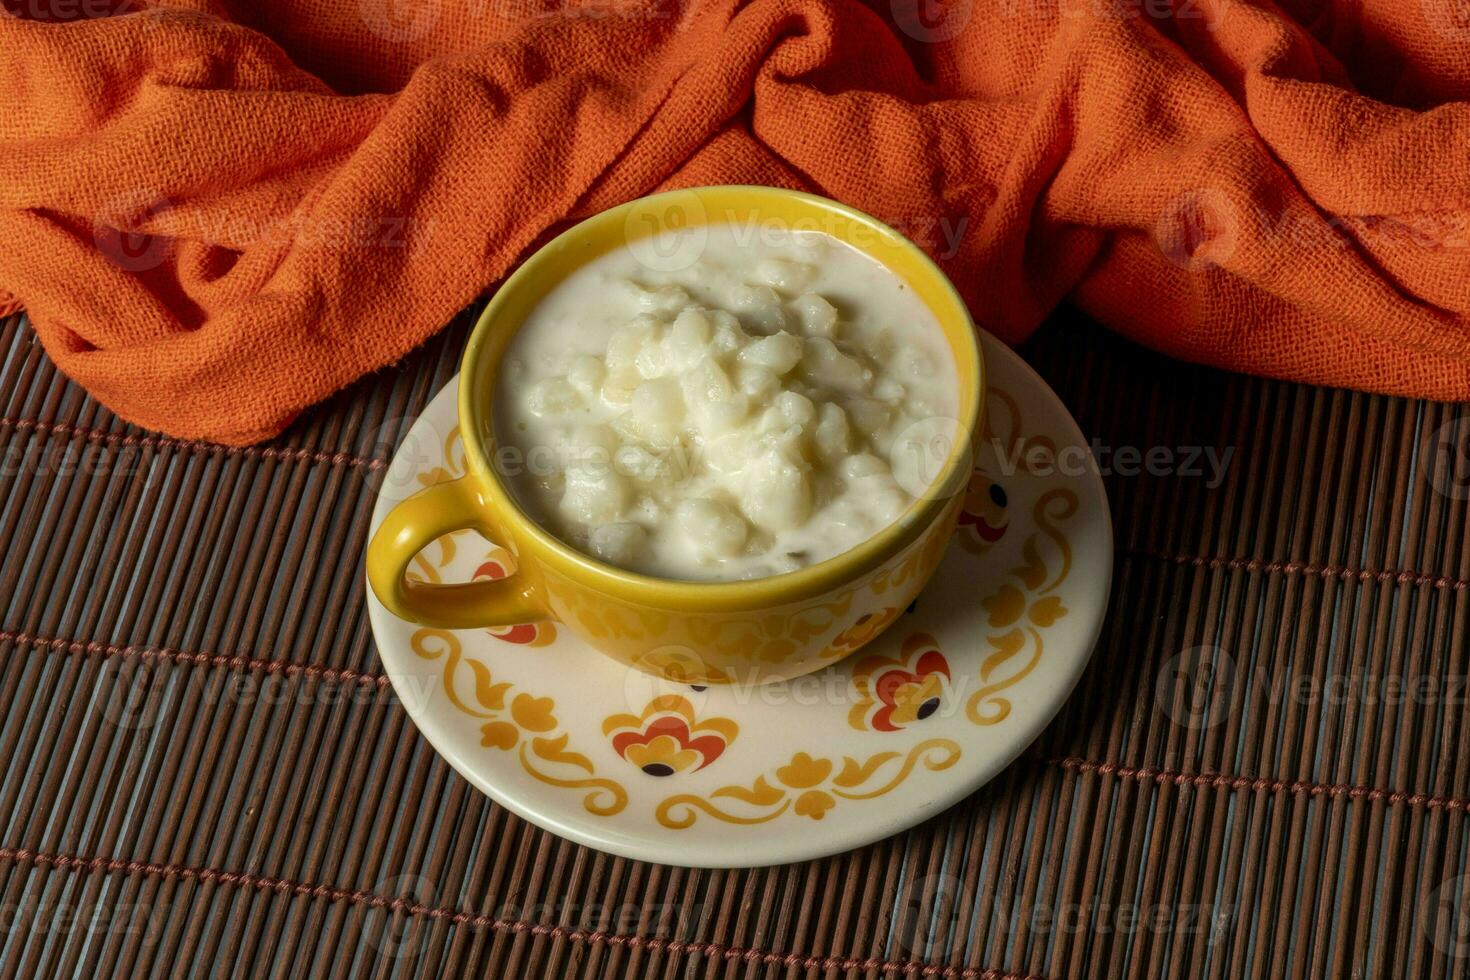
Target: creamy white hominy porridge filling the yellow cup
739, 418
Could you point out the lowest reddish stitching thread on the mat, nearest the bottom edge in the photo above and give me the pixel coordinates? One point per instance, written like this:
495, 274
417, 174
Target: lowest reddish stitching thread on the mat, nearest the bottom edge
474, 920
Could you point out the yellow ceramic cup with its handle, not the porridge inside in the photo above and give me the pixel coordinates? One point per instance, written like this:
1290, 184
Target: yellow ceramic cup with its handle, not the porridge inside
692, 633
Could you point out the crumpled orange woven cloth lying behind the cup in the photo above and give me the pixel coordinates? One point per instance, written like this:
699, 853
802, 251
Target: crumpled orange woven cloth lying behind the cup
1269, 187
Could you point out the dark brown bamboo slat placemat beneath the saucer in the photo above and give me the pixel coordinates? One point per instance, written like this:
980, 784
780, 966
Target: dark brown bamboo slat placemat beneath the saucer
1265, 772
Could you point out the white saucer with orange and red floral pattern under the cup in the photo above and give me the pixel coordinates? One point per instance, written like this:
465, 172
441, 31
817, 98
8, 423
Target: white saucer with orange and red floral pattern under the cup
737, 777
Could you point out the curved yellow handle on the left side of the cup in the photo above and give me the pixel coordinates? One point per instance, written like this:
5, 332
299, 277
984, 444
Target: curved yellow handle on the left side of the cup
420, 521
